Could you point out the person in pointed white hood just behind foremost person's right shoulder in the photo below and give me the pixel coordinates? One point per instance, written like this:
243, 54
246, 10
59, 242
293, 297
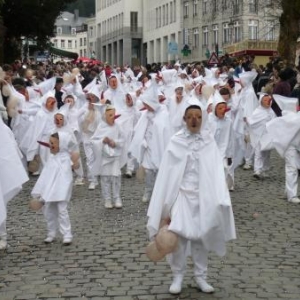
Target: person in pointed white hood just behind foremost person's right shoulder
220, 125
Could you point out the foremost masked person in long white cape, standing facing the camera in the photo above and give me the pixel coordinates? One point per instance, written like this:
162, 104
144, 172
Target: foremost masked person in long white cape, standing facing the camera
191, 193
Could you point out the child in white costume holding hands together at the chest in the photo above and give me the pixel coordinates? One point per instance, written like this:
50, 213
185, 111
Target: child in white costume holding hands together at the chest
110, 157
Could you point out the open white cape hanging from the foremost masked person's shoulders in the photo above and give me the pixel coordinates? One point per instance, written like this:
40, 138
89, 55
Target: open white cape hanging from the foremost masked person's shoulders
217, 221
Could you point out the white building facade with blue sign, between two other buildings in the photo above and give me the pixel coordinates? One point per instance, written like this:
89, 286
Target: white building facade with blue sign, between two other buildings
162, 30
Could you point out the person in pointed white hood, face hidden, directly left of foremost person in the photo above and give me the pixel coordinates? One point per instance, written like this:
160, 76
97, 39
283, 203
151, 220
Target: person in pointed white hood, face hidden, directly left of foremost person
150, 138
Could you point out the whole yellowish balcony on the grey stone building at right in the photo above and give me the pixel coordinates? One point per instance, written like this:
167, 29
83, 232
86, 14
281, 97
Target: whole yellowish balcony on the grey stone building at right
251, 47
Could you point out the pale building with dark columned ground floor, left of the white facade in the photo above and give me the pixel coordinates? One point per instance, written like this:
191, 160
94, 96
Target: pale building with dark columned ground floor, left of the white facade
119, 31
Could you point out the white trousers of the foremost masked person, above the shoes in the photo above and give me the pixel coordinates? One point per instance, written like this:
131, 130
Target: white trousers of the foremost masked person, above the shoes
177, 259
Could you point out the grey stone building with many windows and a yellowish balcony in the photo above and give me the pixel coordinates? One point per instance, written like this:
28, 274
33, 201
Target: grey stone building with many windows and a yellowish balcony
237, 27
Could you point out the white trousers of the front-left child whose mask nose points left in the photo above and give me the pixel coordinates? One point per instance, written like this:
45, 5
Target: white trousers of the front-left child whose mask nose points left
57, 217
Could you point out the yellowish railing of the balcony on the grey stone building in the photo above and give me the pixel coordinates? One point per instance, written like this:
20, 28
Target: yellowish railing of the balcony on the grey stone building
251, 45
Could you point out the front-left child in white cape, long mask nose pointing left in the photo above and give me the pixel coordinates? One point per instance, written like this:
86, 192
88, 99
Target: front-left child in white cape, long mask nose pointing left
54, 187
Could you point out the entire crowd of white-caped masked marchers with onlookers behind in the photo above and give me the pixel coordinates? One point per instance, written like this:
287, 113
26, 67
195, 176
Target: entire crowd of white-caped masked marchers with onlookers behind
188, 127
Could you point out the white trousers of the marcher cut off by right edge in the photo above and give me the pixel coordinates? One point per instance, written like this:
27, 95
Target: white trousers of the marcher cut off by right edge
292, 161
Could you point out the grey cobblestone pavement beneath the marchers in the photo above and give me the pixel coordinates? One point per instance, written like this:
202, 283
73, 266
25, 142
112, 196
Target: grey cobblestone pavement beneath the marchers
107, 258
